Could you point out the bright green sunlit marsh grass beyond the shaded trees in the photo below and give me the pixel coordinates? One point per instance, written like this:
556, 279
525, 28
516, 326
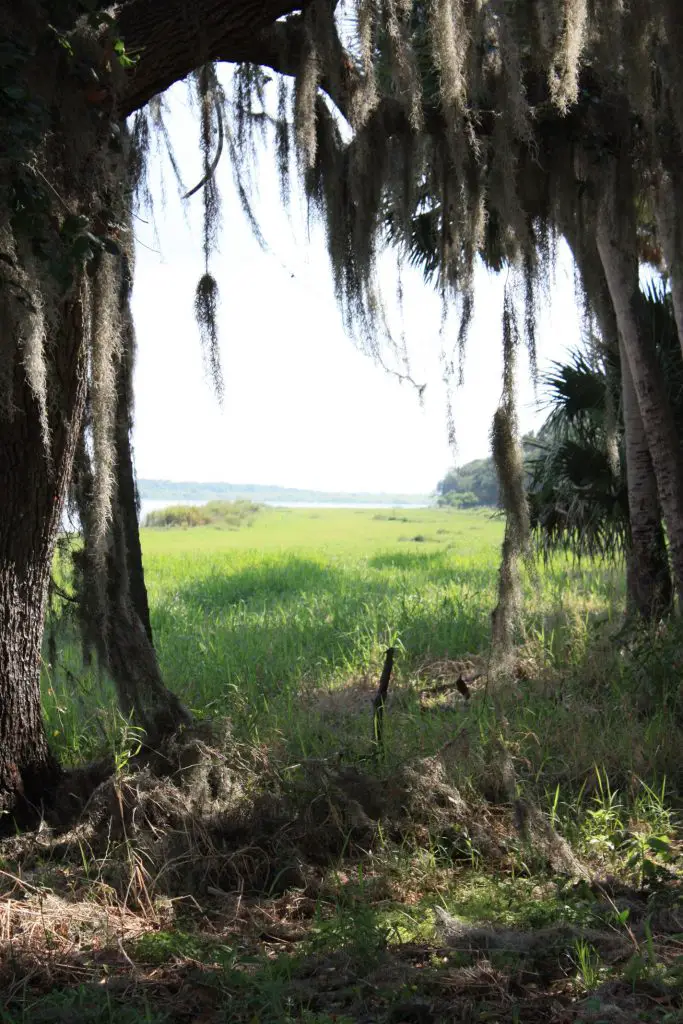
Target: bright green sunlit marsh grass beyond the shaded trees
246, 621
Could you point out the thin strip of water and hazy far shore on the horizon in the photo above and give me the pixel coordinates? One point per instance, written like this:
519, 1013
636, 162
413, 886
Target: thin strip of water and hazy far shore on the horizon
170, 491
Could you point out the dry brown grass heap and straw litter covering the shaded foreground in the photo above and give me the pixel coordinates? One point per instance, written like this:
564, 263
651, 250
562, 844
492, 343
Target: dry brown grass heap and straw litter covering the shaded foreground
253, 854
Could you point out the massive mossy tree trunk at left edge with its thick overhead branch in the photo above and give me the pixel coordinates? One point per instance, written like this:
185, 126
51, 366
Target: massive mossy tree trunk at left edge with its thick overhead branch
63, 97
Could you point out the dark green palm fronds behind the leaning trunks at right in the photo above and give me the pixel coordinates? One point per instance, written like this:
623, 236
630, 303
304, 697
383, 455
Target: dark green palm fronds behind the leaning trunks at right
584, 485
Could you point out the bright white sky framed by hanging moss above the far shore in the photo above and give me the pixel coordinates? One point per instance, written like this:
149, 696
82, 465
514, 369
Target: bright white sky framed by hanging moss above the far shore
304, 407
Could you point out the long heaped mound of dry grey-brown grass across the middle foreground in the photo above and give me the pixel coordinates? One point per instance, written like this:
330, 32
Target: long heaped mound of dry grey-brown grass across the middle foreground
208, 815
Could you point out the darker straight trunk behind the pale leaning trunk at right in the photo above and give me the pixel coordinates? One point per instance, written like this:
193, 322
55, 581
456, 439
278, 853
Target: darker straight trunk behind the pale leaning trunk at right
649, 577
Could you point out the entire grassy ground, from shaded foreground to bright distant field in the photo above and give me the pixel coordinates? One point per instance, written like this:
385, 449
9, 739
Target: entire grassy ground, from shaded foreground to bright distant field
513, 858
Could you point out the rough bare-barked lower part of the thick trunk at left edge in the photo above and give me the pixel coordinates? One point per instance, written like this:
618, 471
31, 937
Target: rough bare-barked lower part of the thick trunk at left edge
34, 483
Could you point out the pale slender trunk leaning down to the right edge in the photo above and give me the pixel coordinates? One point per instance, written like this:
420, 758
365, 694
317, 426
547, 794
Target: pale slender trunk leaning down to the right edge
616, 240
